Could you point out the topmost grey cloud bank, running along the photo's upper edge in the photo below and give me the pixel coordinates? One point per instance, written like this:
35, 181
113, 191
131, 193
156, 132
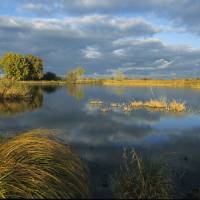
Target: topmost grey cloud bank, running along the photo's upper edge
185, 13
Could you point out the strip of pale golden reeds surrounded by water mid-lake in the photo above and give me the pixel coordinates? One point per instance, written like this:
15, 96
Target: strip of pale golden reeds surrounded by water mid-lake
151, 105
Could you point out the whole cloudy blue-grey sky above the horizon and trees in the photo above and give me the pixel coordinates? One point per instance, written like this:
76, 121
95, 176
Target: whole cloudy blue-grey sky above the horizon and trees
143, 38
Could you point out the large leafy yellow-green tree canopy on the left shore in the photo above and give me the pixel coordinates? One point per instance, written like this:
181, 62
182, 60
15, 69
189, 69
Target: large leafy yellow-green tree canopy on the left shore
22, 67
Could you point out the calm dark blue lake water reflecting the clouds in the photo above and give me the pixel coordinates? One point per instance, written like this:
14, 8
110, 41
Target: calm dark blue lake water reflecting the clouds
100, 137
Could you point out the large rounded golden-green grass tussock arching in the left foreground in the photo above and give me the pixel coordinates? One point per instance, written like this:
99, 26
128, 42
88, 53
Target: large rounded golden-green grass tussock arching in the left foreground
35, 165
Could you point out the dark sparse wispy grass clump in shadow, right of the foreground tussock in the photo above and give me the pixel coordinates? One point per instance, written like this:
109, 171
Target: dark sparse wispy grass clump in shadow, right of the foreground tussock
139, 179
